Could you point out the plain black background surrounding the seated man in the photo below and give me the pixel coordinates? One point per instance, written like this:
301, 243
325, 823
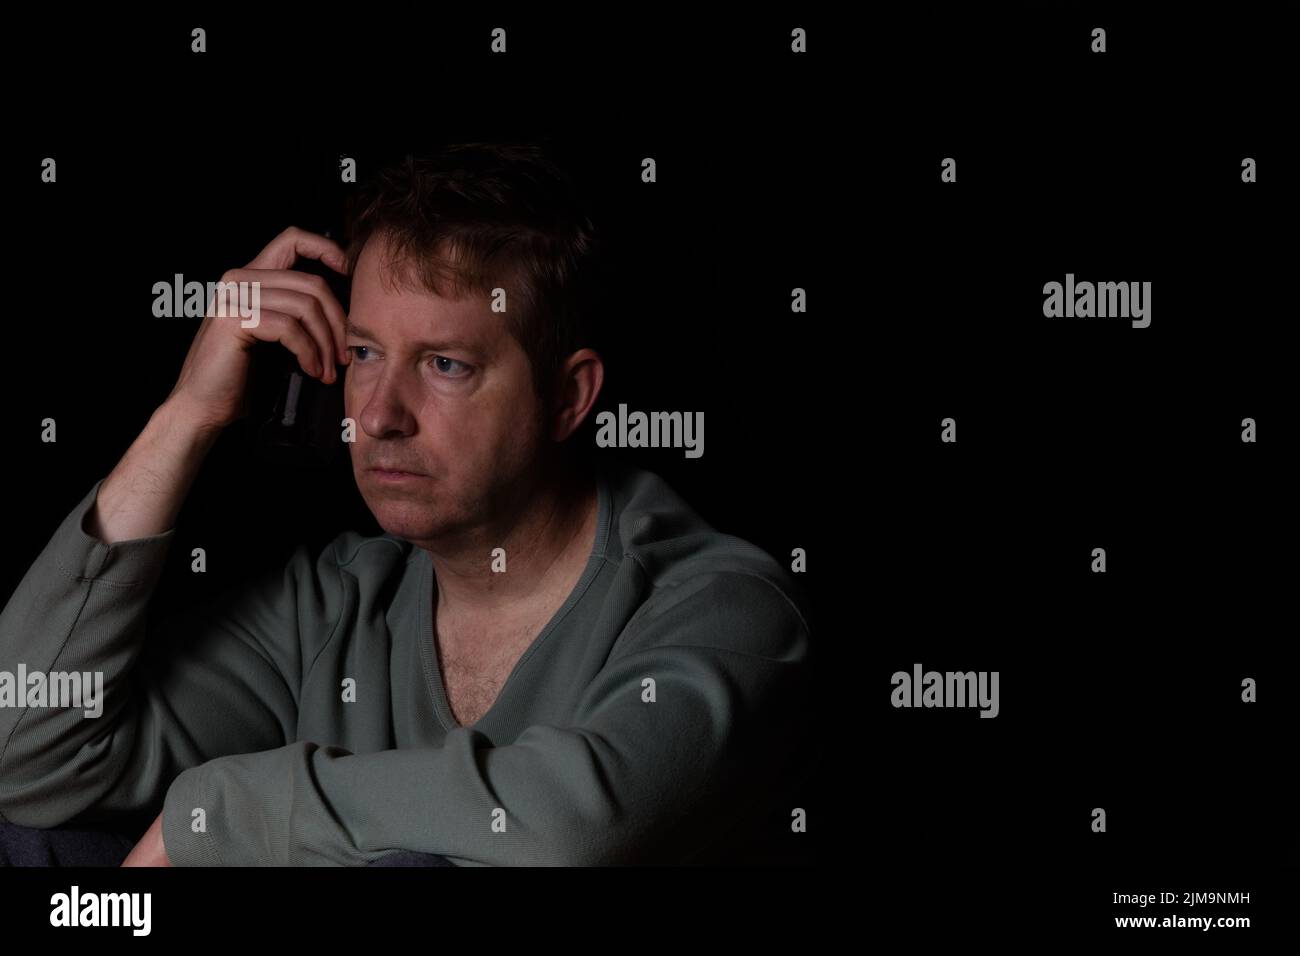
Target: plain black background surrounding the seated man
822, 430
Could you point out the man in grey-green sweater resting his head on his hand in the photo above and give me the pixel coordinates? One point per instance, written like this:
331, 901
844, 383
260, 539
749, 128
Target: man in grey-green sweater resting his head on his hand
538, 663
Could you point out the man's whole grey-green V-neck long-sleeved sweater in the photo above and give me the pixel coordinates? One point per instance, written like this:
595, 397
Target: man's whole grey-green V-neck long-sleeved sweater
655, 720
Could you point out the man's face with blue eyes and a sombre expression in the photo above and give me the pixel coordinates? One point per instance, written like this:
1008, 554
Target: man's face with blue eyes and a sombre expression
440, 390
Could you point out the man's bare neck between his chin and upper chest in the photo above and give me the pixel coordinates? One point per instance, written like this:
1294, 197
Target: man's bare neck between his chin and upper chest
549, 538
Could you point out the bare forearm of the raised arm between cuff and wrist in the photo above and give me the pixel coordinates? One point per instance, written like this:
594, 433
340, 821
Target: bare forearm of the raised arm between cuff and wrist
144, 495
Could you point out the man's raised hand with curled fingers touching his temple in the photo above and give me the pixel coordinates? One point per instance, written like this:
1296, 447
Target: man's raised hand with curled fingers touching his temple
297, 310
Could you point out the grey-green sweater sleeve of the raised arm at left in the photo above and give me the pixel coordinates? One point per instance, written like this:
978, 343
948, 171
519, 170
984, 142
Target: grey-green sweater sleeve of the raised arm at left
176, 694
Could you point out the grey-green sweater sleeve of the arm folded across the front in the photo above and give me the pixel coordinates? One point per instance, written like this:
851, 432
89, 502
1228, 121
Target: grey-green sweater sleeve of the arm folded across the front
627, 781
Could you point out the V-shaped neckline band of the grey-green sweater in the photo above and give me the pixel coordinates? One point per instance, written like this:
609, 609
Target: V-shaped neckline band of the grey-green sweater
426, 638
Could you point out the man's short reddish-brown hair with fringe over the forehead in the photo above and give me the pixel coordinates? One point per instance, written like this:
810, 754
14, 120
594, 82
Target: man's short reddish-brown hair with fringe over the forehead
475, 217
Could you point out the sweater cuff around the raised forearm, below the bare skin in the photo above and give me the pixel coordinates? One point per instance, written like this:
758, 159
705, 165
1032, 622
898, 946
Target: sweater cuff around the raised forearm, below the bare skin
124, 564
